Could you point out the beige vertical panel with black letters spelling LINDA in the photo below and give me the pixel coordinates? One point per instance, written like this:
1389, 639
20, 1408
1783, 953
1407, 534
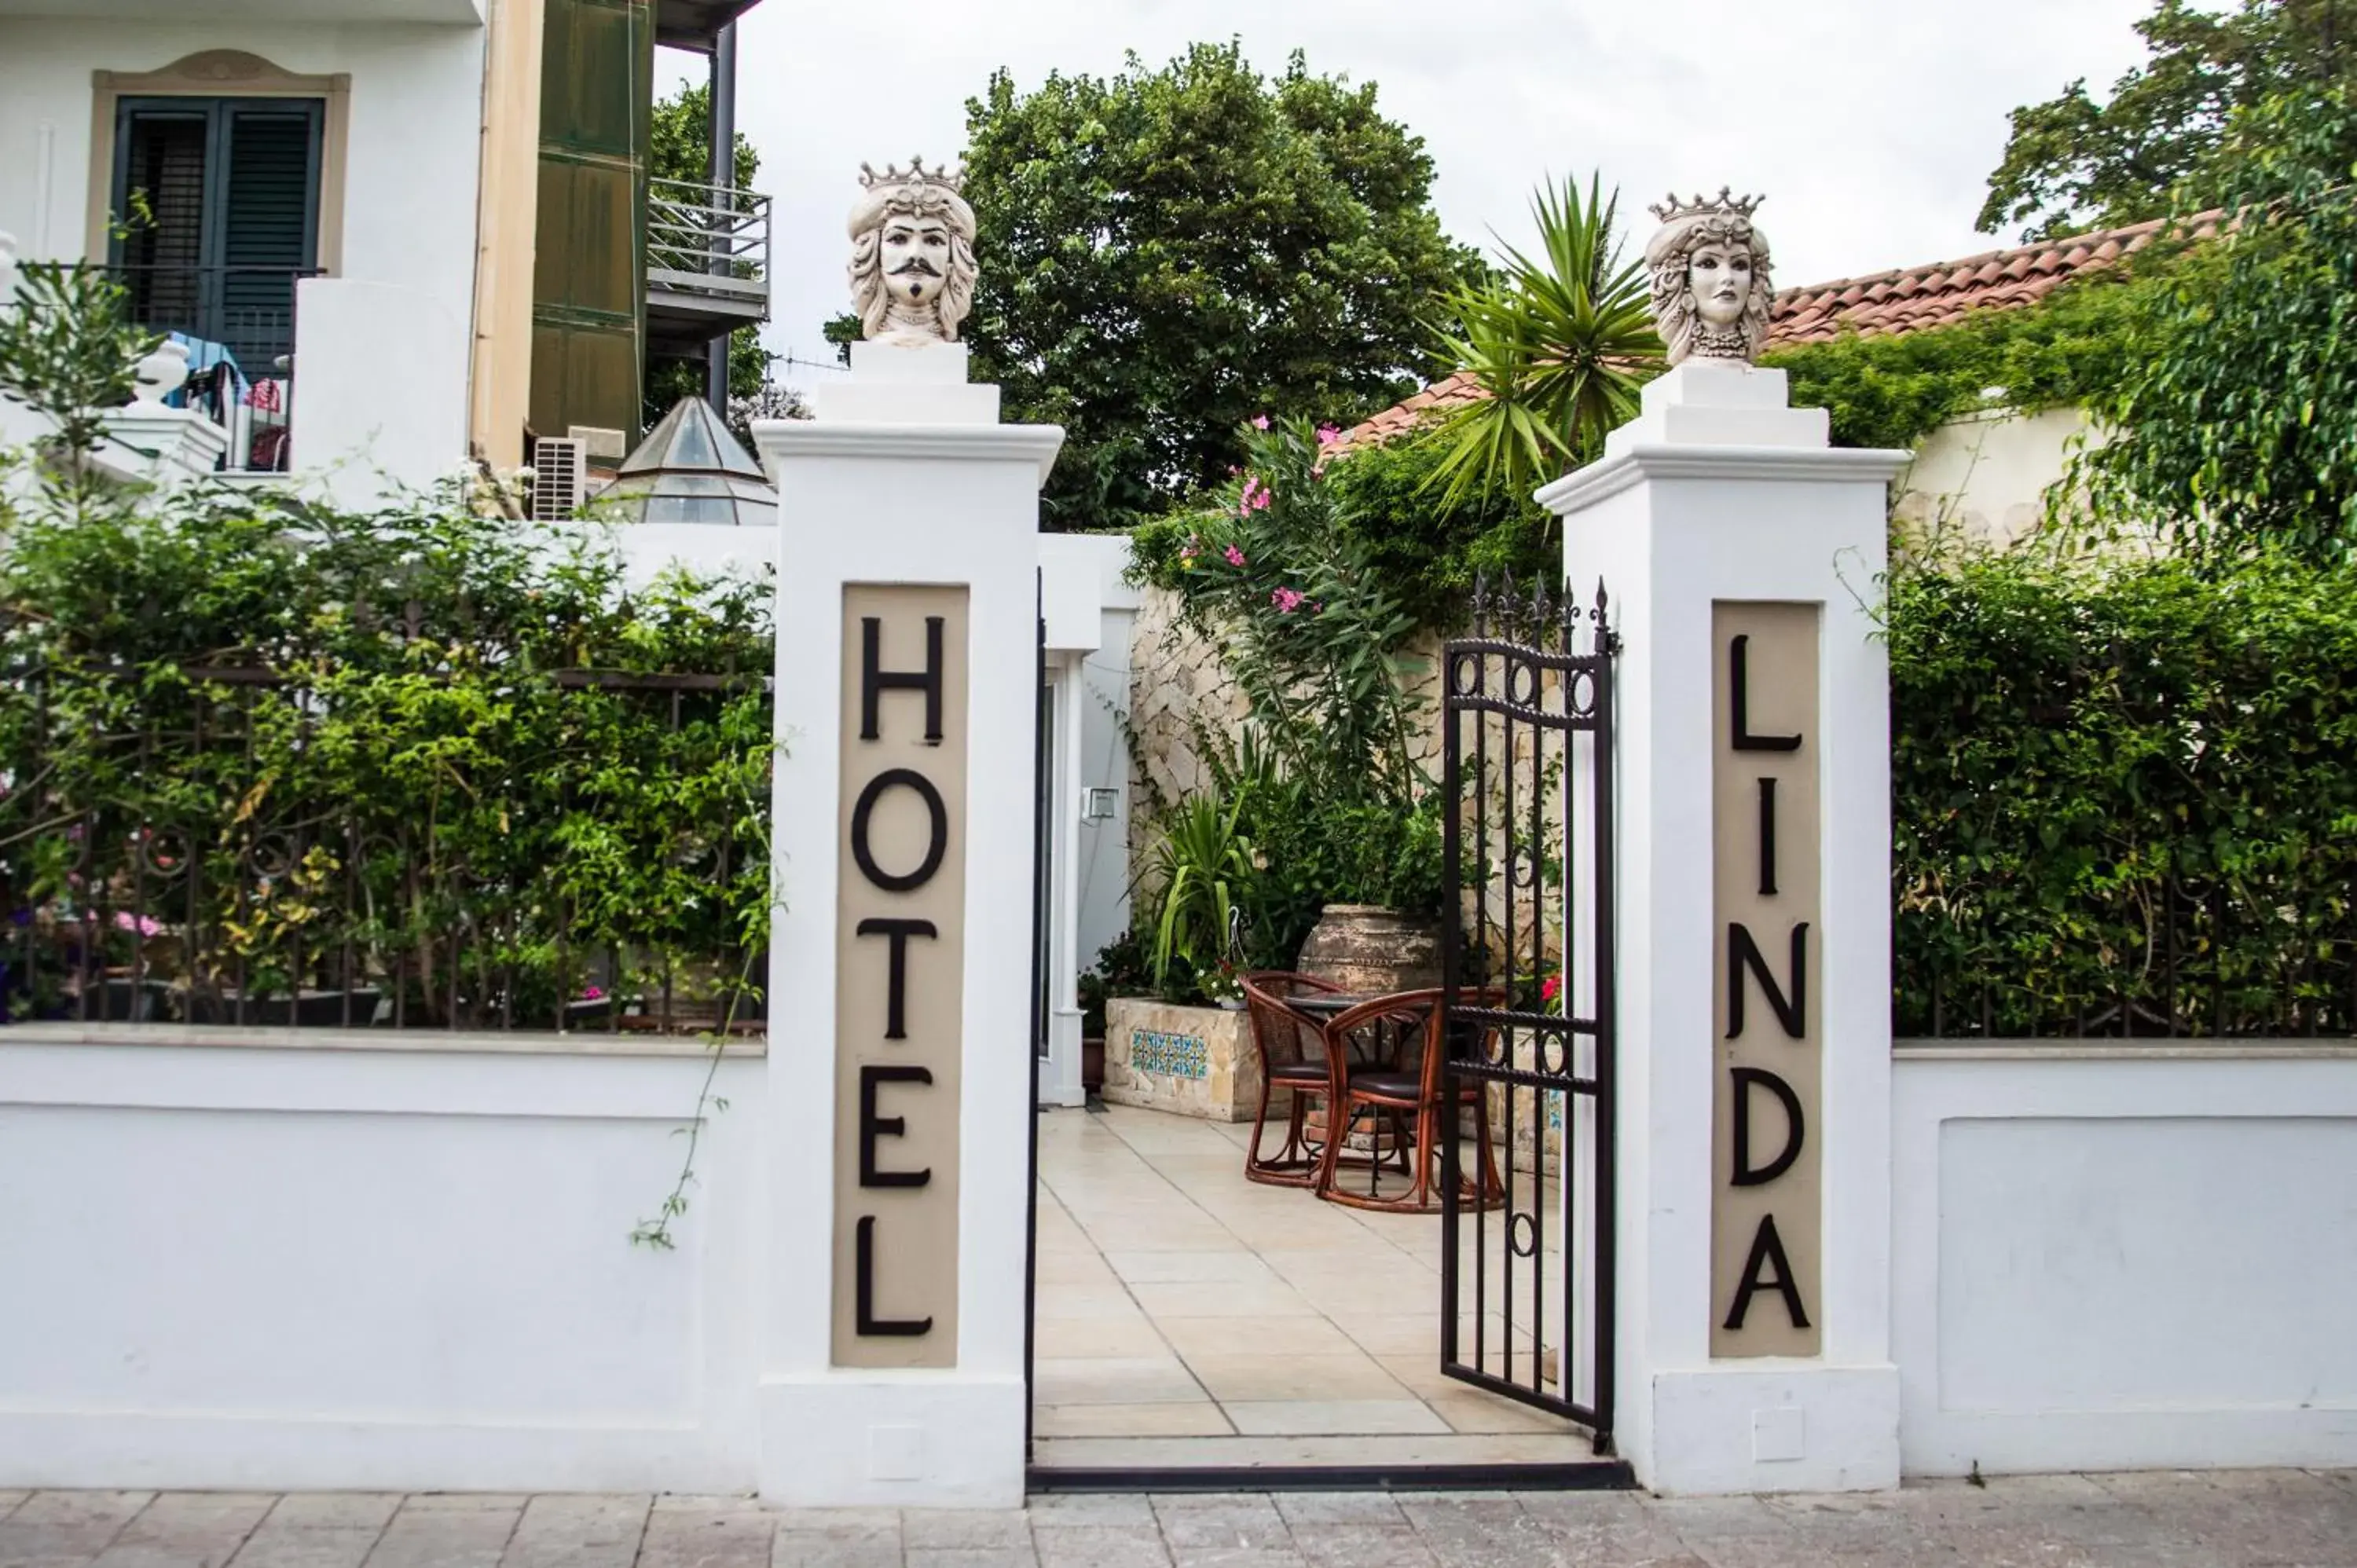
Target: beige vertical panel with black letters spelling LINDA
1769, 1168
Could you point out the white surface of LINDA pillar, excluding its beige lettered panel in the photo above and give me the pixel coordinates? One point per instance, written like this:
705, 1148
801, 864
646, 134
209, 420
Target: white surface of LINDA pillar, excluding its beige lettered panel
1722, 494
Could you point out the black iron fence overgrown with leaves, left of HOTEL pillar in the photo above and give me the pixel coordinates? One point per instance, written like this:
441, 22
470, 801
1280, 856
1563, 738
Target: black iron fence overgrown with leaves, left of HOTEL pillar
572, 850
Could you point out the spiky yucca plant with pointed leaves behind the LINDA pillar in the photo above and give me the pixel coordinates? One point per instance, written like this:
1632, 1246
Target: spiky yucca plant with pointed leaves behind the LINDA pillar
1559, 341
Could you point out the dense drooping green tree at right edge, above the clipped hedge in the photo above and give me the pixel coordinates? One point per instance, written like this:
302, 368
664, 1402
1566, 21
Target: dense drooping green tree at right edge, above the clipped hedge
2236, 423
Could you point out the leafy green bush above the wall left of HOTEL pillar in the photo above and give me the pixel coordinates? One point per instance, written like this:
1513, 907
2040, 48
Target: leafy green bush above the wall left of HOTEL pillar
253, 746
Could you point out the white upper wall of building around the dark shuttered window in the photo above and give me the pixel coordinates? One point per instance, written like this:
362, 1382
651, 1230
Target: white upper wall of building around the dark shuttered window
381, 369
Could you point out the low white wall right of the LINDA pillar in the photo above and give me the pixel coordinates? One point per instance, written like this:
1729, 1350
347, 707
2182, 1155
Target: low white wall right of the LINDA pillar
2125, 1258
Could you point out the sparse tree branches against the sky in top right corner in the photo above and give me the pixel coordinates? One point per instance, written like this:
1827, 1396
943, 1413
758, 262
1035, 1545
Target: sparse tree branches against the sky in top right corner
2075, 164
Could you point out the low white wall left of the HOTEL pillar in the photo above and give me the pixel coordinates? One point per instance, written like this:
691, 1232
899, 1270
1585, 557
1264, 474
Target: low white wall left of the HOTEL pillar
343, 1267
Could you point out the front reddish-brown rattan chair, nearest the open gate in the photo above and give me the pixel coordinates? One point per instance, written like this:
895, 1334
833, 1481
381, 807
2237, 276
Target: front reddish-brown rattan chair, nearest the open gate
1387, 1062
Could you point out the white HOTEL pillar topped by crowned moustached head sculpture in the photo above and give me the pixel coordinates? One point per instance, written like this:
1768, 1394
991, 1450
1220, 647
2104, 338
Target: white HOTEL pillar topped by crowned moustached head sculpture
902, 954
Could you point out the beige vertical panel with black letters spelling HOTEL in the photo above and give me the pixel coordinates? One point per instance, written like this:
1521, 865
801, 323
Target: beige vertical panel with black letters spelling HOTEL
899, 975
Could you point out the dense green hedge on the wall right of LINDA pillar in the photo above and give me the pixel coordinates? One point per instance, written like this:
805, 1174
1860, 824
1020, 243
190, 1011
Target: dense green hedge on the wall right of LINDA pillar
2125, 798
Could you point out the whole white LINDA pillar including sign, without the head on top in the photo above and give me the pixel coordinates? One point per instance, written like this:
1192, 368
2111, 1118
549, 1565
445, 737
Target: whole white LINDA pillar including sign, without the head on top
1745, 558
